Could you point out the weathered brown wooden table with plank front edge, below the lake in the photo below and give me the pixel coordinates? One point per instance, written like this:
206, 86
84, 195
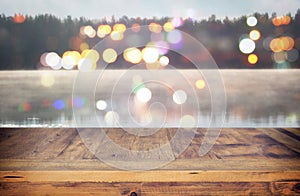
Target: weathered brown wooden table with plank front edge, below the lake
243, 161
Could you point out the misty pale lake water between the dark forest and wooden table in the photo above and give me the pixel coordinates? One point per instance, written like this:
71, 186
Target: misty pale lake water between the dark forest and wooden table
264, 98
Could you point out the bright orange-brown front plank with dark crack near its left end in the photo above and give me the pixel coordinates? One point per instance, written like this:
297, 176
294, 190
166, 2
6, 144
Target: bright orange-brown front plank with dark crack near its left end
148, 176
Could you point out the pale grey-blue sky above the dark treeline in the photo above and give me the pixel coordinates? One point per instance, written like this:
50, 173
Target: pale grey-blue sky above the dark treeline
198, 9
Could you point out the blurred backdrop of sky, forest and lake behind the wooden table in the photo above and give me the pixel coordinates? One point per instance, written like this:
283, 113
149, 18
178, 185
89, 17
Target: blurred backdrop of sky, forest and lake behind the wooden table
44, 45
